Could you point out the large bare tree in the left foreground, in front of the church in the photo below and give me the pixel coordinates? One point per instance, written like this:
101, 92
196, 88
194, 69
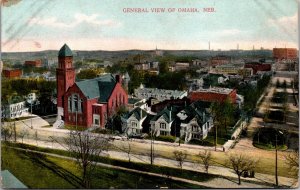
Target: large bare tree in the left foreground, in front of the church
84, 146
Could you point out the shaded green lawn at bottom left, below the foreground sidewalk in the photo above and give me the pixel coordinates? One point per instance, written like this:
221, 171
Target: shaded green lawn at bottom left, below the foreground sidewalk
40, 171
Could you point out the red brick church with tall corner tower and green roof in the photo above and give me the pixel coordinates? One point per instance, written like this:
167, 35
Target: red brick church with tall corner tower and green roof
88, 102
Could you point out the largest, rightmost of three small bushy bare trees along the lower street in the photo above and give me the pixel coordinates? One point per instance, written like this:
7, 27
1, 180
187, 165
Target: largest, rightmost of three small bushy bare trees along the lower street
241, 163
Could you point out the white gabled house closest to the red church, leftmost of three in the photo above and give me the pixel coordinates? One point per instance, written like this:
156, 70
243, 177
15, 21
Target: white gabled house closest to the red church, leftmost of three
132, 122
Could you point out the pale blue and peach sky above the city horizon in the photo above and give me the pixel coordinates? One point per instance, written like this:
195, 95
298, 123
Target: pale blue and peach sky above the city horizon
36, 25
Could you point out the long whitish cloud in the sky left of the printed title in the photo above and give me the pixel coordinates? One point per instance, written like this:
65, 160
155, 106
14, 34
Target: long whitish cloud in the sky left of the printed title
78, 19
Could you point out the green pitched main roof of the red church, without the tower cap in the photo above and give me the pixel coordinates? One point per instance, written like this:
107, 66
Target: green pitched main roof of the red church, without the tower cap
101, 87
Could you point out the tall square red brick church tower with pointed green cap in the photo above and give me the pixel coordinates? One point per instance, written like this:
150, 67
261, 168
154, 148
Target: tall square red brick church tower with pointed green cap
65, 76
